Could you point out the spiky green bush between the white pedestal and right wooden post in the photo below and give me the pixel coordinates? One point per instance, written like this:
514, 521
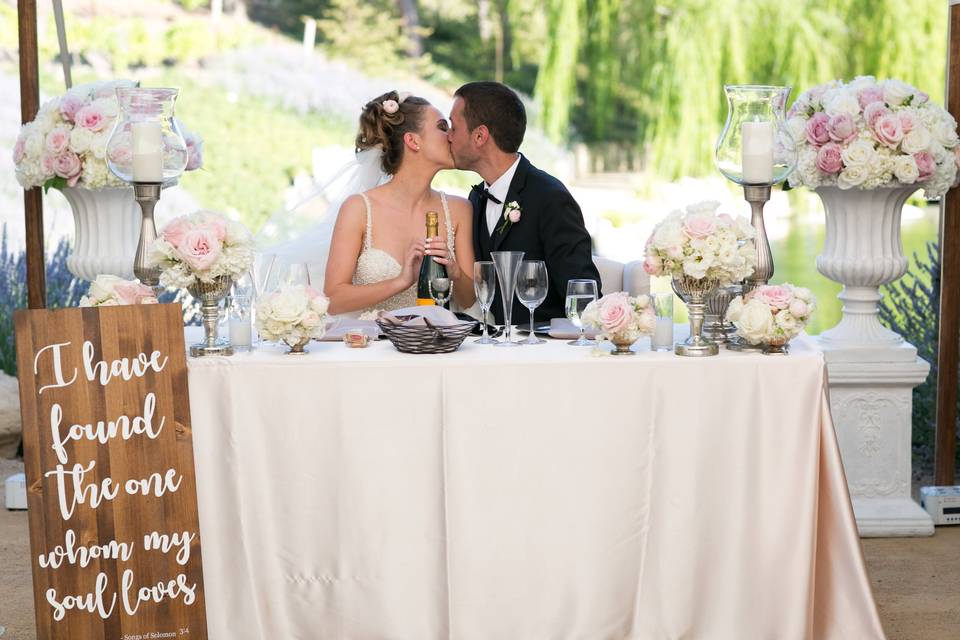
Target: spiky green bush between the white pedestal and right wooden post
911, 307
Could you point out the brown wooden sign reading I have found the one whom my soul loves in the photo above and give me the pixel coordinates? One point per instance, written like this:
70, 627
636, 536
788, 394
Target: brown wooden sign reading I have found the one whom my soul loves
114, 534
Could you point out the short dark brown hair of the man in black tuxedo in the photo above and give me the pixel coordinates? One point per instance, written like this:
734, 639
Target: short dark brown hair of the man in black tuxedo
497, 106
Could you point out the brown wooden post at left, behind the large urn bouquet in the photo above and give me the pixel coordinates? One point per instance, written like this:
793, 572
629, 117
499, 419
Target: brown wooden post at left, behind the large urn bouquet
32, 198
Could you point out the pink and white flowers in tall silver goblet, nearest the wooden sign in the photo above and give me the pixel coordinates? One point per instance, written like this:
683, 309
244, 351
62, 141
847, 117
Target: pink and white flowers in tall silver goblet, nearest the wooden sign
201, 246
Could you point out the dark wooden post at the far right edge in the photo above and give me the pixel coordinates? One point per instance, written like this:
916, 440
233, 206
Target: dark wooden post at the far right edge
949, 331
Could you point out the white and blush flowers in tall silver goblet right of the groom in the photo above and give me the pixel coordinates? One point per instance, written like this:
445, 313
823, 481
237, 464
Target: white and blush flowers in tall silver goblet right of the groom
700, 243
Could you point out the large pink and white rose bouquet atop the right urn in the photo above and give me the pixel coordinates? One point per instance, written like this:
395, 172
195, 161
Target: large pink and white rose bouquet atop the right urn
868, 134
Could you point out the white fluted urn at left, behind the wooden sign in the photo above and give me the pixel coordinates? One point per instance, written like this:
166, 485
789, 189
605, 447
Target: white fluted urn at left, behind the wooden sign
107, 223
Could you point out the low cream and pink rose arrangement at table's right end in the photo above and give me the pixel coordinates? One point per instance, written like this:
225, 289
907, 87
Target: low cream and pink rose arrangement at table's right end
772, 314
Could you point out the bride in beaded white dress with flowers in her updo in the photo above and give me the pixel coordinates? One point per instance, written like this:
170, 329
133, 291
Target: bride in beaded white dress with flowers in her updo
378, 240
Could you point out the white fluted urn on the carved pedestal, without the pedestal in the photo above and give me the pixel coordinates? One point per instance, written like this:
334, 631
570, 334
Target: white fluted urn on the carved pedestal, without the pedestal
861, 251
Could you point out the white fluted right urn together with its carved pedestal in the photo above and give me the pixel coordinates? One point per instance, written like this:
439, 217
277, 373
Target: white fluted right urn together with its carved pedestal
872, 370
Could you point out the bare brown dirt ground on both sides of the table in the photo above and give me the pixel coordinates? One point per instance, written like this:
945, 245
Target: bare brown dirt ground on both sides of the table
916, 580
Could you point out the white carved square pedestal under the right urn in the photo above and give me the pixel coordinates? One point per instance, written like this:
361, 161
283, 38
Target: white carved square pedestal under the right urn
871, 401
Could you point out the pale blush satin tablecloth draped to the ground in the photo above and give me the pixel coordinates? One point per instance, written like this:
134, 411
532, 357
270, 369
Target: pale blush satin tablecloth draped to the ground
537, 493
